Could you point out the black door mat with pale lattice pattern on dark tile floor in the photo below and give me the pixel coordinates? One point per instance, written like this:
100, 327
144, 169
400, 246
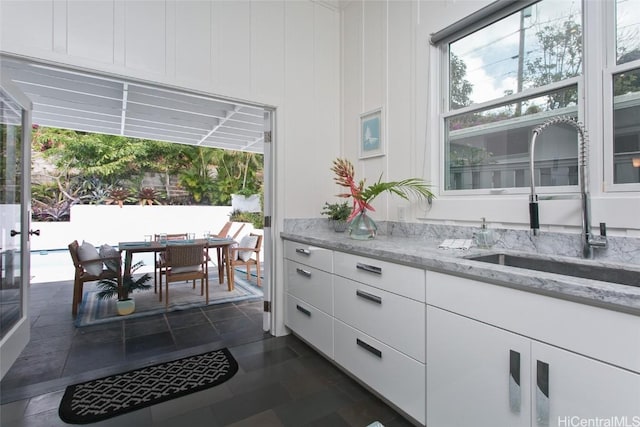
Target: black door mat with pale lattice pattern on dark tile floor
107, 397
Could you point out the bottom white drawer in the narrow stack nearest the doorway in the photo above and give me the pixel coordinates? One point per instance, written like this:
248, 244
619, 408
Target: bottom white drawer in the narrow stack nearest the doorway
311, 324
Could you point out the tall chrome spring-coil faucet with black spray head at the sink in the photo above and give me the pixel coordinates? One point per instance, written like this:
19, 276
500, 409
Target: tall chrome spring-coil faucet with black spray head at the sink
588, 240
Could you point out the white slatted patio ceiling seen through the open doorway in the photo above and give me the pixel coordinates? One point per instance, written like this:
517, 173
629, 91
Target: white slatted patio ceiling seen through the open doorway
86, 102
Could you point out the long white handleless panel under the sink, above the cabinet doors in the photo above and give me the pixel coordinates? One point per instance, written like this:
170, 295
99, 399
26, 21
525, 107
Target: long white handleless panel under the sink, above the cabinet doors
592, 331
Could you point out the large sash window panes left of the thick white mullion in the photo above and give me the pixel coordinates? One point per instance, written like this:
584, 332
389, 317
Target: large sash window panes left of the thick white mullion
502, 81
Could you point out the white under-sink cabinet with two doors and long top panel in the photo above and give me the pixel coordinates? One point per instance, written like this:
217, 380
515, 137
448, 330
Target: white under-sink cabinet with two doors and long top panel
473, 366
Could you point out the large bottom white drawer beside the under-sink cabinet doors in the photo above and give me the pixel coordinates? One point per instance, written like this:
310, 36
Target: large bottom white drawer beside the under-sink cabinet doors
398, 378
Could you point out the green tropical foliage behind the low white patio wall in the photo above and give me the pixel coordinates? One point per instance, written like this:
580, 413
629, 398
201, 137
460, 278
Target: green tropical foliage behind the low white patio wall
108, 169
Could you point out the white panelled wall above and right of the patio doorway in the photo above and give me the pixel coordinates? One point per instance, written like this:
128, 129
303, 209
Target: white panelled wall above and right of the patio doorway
276, 53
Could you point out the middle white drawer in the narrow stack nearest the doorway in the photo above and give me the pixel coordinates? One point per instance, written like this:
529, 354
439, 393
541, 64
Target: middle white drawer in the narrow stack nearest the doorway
310, 285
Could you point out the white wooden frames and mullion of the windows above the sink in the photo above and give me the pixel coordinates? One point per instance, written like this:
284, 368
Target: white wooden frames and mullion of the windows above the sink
595, 82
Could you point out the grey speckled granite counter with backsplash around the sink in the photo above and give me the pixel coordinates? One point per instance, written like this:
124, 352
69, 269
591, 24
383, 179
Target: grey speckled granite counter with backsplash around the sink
419, 248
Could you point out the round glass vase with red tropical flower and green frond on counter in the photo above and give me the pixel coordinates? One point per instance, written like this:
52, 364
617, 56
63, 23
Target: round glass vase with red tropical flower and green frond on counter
361, 226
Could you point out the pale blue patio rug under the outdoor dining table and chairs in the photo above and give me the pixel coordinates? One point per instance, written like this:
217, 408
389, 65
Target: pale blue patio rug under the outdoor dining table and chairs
182, 296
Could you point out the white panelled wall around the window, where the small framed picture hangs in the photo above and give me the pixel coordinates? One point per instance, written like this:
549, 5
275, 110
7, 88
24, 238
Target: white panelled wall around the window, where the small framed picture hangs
386, 61
